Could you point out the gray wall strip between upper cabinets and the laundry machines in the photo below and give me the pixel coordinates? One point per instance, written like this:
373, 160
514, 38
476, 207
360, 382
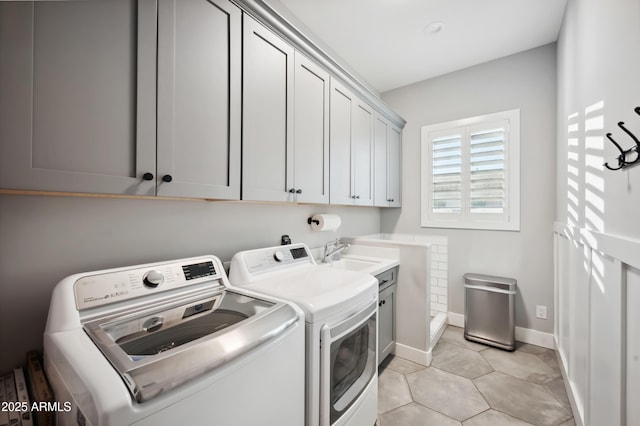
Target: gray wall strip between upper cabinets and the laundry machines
43, 239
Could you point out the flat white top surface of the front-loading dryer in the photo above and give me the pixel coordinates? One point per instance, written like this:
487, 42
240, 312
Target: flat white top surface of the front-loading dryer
320, 292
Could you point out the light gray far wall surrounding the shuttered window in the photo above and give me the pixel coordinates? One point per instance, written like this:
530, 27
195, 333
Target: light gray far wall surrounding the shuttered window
527, 81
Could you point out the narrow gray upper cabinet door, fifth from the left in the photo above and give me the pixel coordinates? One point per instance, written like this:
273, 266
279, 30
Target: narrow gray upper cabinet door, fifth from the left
340, 144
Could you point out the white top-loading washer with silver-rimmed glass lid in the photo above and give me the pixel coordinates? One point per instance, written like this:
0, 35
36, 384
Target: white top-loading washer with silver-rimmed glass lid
170, 343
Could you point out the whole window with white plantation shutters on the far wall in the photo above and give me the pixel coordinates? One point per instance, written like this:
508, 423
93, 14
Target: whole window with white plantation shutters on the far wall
470, 173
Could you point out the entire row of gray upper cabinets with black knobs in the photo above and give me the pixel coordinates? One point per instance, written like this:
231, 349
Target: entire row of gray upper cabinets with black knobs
182, 98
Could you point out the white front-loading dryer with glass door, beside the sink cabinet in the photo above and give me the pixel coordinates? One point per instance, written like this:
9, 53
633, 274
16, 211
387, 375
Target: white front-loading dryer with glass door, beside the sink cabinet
340, 310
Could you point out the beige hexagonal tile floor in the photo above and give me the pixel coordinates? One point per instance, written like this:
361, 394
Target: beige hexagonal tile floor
474, 385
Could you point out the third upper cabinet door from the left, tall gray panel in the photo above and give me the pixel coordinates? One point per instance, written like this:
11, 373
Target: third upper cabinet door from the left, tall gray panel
267, 126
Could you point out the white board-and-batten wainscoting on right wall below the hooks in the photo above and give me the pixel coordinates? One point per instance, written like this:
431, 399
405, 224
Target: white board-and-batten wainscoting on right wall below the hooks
591, 264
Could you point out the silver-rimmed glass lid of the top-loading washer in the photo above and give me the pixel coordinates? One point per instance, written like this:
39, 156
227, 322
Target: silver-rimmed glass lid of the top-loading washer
156, 349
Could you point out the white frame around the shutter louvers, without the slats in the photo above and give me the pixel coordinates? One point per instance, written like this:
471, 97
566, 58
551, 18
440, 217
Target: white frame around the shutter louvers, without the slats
509, 219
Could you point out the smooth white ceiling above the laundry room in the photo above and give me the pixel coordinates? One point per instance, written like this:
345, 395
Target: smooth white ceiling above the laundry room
387, 44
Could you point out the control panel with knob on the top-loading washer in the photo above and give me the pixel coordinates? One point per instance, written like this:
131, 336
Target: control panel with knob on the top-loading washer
123, 284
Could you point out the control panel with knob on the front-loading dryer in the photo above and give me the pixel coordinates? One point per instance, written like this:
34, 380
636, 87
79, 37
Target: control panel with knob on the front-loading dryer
269, 259
